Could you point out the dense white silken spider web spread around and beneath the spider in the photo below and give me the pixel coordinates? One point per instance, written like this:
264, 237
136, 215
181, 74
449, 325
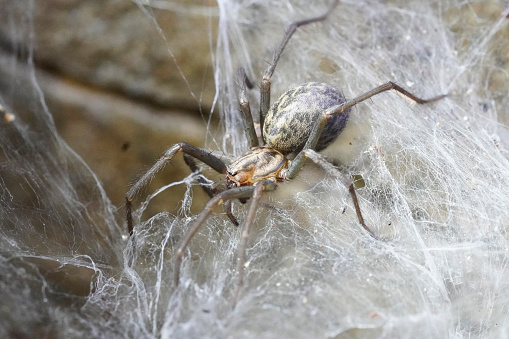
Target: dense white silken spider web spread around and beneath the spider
436, 192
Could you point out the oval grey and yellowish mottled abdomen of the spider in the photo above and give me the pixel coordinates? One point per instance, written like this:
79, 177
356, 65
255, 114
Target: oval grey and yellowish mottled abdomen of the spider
291, 118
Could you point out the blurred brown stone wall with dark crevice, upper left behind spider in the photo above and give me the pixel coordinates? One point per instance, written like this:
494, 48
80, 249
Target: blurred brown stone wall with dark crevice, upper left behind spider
119, 93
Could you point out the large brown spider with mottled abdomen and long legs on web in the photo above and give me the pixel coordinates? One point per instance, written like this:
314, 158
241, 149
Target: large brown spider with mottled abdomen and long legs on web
303, 121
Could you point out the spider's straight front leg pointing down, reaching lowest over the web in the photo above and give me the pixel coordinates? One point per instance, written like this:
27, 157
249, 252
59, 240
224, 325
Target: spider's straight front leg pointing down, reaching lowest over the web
258, 188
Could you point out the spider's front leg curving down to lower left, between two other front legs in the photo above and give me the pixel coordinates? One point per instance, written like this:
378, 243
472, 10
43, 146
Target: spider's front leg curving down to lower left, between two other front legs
242, 192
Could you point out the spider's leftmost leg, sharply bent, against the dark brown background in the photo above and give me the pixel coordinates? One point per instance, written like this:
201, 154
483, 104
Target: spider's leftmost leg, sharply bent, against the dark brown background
196, 152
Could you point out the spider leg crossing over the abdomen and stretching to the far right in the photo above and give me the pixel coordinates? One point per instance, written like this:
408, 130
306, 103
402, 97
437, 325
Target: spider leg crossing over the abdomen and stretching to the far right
338, 109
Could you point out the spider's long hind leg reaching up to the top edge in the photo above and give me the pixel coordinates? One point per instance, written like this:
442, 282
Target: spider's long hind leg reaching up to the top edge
265, 85
